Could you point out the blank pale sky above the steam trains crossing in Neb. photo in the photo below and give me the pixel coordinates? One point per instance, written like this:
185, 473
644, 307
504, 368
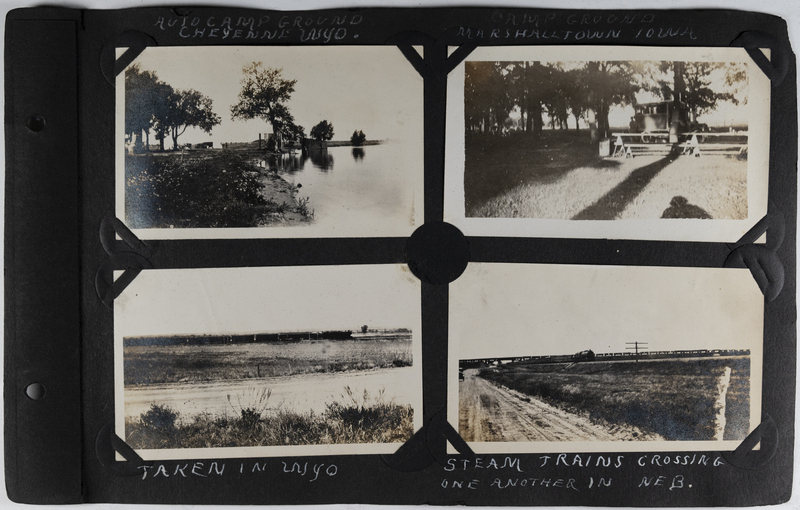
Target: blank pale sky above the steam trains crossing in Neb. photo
528, 309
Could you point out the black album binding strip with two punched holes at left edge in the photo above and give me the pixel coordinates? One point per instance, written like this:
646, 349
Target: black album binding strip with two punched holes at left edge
42, 258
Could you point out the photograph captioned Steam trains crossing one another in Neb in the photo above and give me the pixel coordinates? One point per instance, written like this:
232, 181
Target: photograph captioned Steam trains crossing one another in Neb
548, 358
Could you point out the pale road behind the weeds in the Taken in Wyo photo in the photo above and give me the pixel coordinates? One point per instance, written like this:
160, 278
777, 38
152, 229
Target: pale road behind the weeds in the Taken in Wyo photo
301, 393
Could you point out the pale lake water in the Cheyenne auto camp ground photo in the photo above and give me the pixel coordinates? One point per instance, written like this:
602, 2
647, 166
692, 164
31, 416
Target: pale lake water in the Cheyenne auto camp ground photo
371, 187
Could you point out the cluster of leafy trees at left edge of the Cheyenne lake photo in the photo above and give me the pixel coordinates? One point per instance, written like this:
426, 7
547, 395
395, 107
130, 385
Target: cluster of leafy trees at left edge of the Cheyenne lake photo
151, 104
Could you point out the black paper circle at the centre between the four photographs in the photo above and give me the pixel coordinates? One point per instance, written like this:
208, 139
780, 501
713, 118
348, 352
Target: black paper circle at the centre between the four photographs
437, 253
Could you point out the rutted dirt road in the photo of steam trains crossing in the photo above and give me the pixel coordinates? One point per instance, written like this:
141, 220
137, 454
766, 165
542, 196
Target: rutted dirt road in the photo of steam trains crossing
491, 413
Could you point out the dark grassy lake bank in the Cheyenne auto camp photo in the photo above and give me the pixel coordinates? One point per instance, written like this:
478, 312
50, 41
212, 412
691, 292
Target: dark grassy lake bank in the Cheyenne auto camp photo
207, 189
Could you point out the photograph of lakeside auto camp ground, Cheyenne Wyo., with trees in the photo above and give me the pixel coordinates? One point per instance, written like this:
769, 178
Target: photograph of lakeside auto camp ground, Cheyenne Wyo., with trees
221, 142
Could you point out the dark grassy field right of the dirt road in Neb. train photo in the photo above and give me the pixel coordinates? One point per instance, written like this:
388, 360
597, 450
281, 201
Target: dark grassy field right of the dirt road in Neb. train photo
674, 398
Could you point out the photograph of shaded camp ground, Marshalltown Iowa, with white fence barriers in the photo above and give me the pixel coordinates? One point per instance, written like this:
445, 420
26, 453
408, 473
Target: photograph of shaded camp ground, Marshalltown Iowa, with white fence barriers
555, 137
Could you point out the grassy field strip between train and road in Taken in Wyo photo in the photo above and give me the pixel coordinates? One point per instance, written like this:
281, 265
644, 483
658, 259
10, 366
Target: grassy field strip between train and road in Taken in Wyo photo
166, 364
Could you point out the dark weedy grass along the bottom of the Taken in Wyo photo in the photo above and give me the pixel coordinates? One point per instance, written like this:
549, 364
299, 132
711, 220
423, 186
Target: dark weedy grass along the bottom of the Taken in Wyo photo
355, 420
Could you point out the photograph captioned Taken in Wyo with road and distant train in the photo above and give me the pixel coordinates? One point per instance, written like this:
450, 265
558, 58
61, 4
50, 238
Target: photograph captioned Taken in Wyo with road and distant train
228, 363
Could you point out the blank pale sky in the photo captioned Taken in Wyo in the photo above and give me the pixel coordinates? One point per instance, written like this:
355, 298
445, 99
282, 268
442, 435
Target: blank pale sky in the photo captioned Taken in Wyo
268, 299
